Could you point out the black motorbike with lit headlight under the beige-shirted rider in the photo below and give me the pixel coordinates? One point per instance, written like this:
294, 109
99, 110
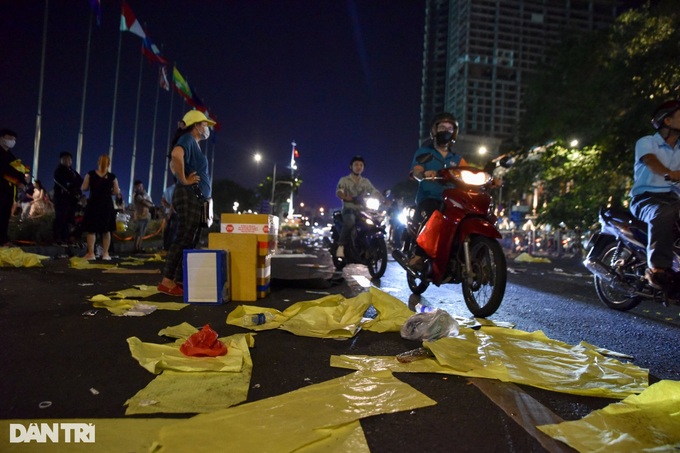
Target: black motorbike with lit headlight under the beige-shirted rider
367, 245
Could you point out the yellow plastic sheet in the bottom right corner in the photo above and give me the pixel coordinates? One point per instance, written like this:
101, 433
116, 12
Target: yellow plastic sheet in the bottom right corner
648, 422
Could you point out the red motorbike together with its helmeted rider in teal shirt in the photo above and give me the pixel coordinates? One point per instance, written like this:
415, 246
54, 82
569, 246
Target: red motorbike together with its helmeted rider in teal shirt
450, 236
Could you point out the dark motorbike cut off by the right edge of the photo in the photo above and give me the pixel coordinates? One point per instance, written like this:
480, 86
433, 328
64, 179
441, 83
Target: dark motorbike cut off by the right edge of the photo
617, 258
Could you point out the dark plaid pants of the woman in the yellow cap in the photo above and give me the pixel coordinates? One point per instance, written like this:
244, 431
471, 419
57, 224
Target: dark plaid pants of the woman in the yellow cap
189, 208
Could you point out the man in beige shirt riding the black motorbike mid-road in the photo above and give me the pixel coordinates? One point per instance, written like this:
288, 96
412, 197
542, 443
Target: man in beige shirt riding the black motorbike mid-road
350, 189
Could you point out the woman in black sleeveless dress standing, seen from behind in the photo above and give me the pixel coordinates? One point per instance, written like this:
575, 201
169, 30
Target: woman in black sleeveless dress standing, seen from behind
100, 215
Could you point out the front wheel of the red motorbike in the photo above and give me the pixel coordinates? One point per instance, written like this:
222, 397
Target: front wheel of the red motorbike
484, 289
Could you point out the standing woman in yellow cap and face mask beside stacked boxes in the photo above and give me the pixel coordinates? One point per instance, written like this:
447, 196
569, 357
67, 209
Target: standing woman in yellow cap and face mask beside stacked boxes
190, 167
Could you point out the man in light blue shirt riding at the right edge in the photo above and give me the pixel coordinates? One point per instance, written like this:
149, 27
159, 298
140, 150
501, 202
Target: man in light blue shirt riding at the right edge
657, 160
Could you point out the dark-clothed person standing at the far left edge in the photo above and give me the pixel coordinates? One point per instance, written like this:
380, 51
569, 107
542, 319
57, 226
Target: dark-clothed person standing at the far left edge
10, 180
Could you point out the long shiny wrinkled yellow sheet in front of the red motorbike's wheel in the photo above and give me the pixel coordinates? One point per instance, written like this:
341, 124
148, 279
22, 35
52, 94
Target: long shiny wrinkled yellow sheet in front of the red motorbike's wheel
521, 357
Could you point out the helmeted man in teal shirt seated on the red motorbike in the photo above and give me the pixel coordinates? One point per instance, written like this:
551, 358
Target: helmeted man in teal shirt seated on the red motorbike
443, 132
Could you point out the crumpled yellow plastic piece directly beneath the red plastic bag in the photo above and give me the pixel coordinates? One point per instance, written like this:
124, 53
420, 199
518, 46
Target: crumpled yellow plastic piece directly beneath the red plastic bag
158, 357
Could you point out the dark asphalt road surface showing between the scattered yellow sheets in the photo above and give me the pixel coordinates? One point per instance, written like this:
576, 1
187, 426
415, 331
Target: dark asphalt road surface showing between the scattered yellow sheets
52, 352
